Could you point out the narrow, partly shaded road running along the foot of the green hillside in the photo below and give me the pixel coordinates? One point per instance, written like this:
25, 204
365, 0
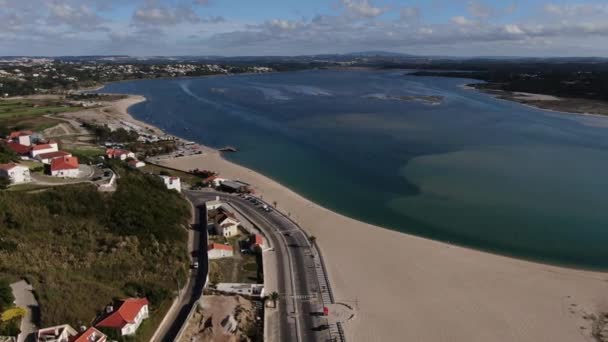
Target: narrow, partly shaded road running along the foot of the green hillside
194, 287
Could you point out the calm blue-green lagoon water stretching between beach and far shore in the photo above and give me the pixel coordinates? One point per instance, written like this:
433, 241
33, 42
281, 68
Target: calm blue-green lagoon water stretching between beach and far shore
473, 170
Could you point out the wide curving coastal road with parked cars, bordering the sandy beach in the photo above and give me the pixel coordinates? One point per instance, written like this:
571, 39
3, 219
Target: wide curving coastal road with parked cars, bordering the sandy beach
301, 279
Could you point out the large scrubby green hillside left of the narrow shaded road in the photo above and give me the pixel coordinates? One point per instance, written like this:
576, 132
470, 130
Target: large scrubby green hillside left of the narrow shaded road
81, 249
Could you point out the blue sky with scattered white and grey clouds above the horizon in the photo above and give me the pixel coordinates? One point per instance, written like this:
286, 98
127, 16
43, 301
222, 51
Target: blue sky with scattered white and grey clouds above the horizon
541, 28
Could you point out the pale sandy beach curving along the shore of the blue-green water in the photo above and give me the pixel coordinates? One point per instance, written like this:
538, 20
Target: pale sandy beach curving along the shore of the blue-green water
406, 288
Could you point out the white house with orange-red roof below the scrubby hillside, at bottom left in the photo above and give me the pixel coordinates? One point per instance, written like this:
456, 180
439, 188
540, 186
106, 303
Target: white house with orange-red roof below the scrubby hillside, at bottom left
128, 317
